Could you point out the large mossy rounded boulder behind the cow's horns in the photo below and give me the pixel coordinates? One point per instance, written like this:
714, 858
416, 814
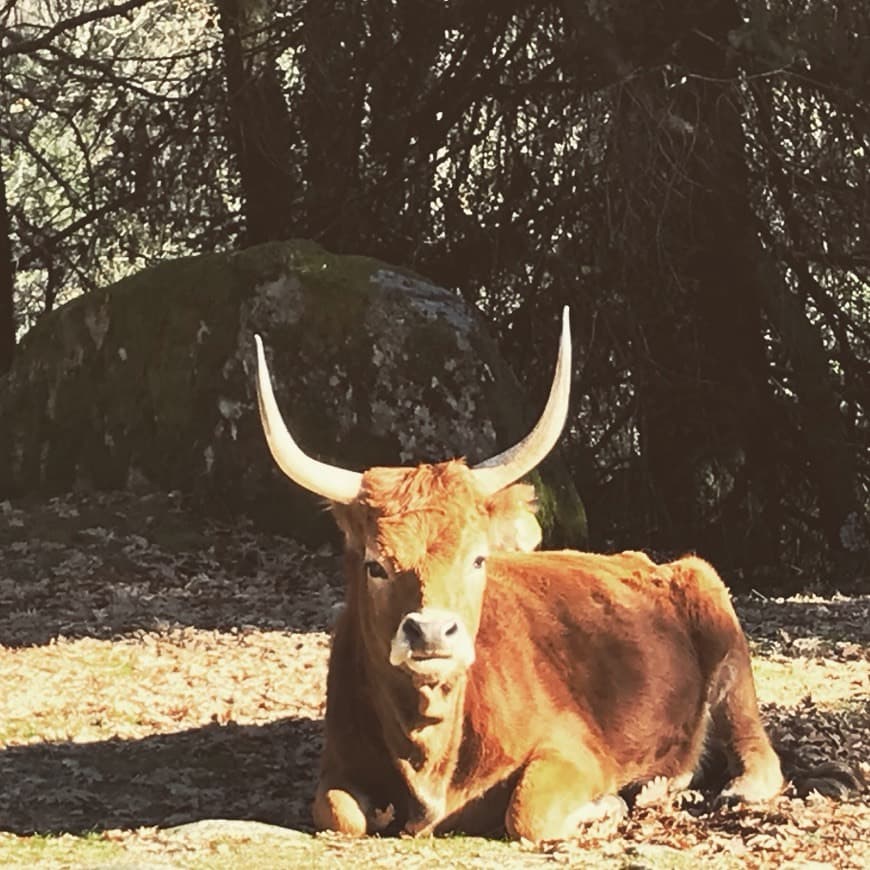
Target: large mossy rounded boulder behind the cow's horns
150, 383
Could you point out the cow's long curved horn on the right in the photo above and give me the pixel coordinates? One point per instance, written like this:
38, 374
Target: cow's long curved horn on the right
510, 465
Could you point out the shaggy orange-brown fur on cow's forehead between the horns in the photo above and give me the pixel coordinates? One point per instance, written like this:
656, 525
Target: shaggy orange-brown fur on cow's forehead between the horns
423, 513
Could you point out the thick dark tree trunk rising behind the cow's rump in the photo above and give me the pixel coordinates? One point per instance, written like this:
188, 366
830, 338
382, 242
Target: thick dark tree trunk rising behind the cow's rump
707, 418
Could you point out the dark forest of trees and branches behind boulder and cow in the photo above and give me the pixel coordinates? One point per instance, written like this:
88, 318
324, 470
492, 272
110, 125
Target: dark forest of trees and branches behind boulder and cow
691, 176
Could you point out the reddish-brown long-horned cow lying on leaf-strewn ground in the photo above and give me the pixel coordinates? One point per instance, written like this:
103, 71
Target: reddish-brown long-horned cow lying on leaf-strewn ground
476, 687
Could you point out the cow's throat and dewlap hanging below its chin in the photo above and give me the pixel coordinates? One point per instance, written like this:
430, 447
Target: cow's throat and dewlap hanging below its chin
422, 726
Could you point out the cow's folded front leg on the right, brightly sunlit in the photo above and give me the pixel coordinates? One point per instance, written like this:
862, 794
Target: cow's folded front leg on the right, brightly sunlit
555, 794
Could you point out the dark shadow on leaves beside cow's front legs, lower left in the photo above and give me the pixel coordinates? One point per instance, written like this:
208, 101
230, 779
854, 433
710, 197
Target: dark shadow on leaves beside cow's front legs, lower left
267, 773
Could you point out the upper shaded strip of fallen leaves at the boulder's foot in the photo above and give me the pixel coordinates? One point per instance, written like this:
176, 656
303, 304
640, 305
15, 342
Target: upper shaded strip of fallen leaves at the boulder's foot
108, 564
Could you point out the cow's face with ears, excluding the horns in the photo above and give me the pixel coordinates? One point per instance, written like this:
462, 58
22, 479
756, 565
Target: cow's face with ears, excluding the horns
418, 540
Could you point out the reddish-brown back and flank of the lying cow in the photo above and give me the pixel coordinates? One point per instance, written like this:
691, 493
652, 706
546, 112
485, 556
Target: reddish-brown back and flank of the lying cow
576, 646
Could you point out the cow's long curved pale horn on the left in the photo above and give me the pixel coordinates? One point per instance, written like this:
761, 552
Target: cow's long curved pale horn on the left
329, 481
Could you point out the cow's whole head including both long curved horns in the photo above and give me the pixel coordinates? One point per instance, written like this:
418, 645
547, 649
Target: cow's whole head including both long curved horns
418, 538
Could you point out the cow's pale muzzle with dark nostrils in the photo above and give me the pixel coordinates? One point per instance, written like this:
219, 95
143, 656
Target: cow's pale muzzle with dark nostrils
432, 642
